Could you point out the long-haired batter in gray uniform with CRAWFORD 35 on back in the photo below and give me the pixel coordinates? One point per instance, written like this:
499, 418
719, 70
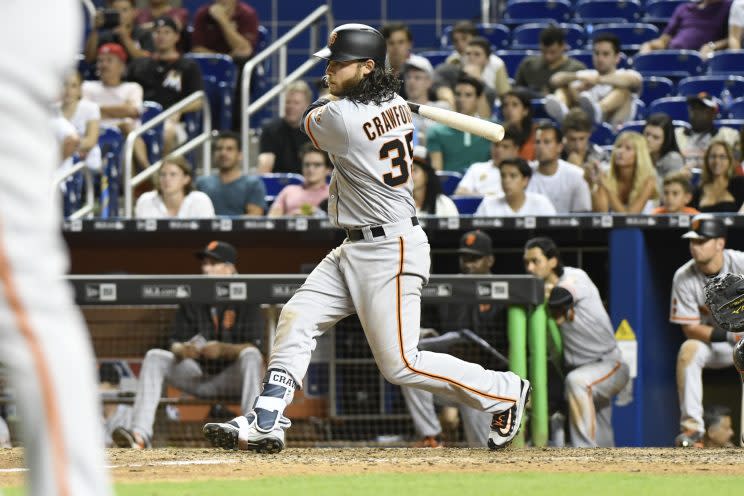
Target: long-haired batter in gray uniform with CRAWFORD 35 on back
378, 271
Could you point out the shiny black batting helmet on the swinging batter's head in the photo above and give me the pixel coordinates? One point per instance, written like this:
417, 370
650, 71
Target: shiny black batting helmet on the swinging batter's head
354, 42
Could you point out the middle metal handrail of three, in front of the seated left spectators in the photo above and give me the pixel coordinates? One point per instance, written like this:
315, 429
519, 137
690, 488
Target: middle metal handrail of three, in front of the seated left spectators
204, 138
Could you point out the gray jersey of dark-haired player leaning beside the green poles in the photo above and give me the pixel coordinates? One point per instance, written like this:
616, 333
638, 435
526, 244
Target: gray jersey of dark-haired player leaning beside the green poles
590, 335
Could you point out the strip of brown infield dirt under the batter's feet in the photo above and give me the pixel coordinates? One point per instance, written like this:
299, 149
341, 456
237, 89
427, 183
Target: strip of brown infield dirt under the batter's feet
192, 464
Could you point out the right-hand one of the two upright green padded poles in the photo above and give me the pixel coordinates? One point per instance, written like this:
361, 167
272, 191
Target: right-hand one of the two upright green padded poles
538, 346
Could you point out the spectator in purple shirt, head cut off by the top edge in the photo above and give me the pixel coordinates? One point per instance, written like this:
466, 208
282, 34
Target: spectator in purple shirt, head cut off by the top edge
694, 26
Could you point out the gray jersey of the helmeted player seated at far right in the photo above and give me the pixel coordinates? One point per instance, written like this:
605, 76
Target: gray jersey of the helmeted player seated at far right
688, 296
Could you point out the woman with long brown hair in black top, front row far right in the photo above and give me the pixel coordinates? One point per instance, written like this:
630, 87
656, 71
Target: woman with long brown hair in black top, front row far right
720, 190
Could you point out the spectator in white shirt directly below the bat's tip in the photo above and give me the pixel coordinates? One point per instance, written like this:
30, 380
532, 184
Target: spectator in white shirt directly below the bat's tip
484, 178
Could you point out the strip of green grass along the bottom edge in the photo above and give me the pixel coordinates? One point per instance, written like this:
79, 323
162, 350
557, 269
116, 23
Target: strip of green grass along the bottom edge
518, 484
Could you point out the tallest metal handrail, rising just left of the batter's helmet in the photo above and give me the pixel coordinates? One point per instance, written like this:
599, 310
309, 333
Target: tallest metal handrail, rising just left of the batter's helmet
246, 109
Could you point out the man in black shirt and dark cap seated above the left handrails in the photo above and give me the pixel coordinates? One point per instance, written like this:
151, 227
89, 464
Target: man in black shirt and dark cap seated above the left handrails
167, 78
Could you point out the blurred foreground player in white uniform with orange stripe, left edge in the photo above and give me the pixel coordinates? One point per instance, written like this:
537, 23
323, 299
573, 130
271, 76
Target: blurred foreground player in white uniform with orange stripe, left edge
43, 341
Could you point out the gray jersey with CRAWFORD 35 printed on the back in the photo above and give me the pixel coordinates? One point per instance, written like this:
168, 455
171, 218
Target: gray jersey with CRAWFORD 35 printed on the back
371, 147
